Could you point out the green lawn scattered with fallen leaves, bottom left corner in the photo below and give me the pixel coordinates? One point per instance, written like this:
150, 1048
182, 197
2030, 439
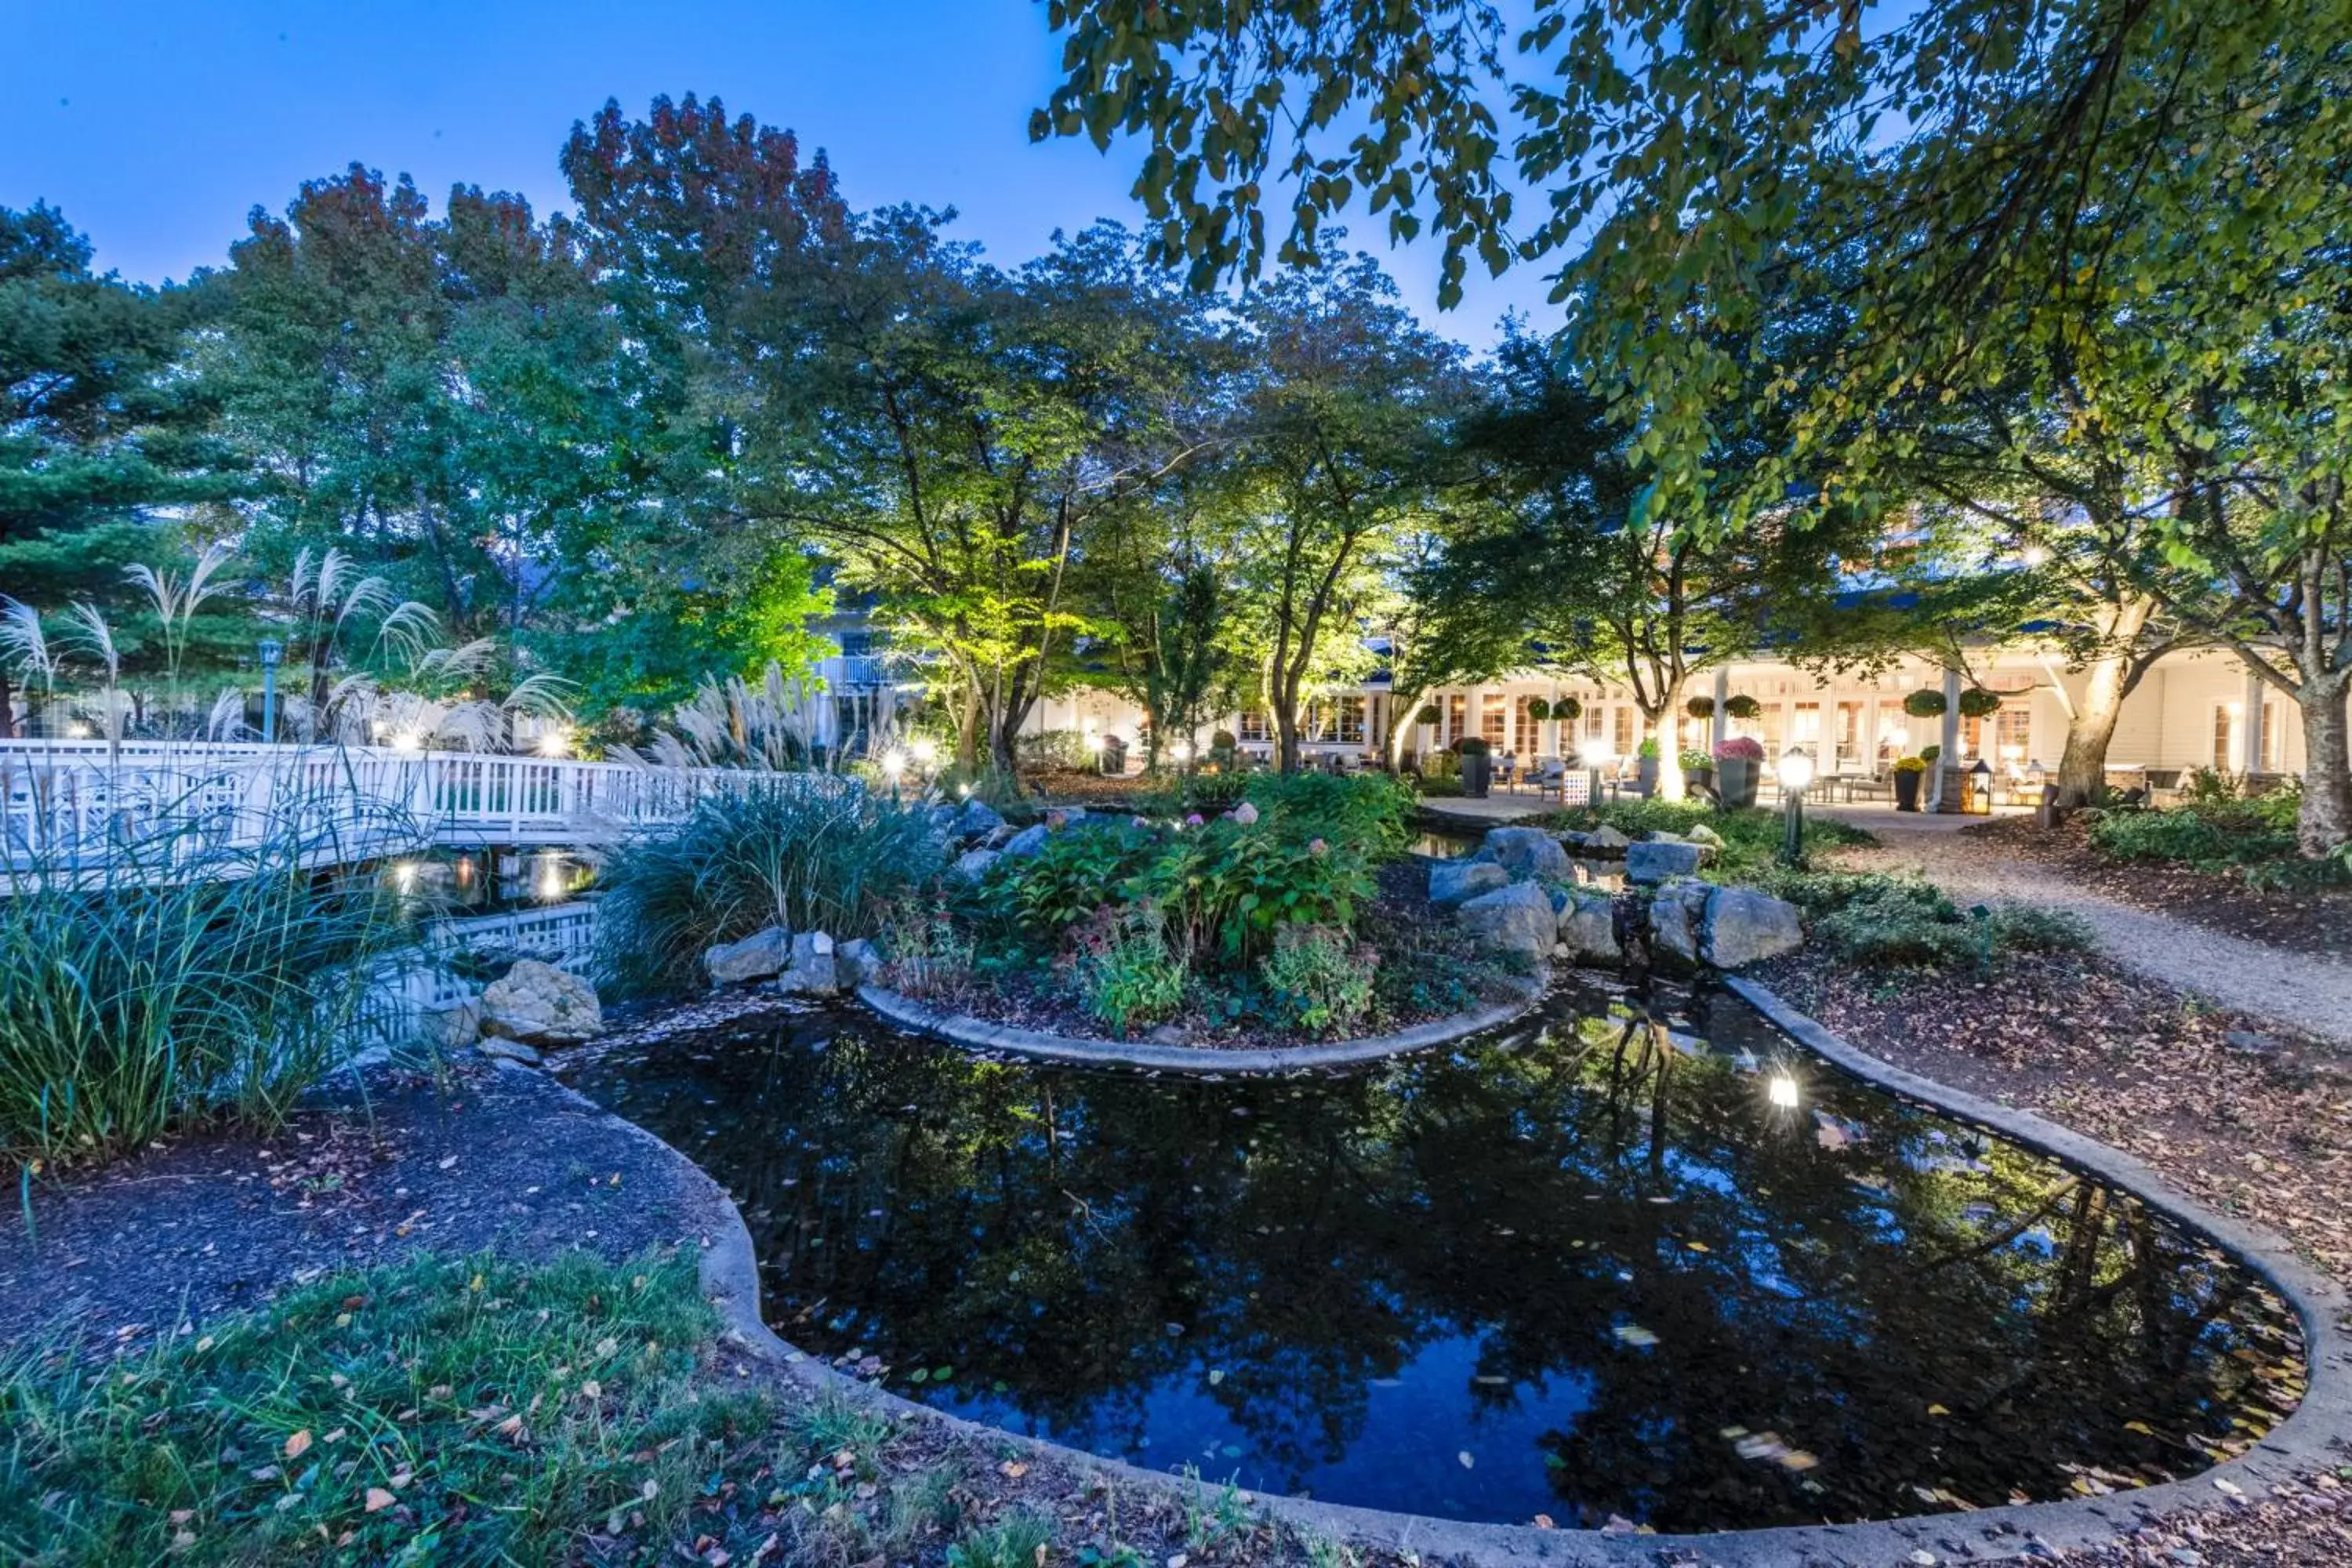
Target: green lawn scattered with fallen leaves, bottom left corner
465, 1409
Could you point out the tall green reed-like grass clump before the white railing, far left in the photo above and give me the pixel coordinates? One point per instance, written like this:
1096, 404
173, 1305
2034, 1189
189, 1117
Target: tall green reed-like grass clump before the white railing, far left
180, 981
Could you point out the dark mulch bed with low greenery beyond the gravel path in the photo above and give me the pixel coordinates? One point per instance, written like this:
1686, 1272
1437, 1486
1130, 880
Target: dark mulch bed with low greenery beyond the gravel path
2306, 920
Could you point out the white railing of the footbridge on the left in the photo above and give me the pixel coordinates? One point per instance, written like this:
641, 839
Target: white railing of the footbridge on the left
86, 800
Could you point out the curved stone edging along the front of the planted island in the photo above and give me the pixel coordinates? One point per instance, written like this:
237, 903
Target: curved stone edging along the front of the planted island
1078, 1050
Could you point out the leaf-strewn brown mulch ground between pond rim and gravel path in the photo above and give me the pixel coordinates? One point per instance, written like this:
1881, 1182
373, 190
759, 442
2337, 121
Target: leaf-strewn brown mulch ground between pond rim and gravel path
2247, 1118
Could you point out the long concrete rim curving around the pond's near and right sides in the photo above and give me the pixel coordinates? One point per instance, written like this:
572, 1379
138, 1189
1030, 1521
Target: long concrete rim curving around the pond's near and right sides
2316, 1438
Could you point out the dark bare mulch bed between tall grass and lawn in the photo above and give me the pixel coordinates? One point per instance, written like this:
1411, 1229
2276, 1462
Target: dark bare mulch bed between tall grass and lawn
222, 1221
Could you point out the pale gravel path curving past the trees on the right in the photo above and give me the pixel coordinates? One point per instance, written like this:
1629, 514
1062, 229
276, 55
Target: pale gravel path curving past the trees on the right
2292, 989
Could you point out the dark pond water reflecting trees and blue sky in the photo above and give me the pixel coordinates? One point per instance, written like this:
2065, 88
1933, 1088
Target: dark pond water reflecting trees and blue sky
1692, 1287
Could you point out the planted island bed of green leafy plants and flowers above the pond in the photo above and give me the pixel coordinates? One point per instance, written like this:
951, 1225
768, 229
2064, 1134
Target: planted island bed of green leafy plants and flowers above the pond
1285, 918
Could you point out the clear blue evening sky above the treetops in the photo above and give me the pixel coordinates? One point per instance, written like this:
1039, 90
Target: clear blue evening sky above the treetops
159, 126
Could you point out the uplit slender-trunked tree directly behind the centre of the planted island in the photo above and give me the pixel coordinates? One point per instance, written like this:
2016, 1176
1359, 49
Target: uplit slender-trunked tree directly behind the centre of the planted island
1342, 424
